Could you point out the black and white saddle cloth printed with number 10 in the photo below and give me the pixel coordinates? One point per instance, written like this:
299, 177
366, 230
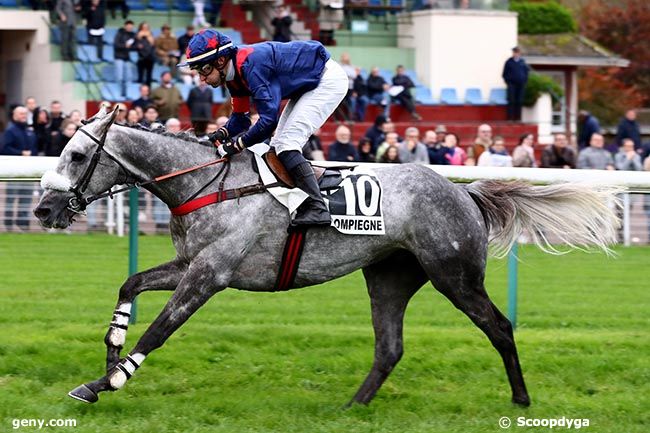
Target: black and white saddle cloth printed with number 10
352, 193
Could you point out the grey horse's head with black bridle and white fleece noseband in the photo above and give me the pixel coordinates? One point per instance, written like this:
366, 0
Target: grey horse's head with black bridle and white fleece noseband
84, 169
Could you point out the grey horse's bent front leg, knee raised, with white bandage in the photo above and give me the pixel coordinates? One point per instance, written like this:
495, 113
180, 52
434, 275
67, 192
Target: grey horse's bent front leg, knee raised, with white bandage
163, 277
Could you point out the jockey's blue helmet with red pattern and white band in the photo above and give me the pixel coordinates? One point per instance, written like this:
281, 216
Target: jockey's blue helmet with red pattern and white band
206, 47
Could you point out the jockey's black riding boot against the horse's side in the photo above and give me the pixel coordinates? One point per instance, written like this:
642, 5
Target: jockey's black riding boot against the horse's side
313, 212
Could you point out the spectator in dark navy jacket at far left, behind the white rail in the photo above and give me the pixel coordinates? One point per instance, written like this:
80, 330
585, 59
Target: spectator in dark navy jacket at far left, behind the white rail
18, 140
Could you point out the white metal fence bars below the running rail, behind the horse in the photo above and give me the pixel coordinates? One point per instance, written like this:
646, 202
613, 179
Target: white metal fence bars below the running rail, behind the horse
18, 199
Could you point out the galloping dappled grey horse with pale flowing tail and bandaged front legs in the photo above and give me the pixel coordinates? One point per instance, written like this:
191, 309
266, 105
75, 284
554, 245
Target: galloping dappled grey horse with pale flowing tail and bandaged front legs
435, 231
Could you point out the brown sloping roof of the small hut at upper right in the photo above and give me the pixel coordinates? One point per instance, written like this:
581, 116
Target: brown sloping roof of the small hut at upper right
567, 49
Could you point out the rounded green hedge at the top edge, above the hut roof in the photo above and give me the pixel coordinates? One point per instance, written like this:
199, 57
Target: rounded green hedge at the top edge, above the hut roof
543, 18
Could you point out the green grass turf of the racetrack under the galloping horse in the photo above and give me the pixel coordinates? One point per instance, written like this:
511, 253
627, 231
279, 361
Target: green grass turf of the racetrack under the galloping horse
287, 362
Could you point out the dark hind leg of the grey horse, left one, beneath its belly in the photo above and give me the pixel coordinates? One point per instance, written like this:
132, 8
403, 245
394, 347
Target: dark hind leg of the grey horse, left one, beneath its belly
391, 284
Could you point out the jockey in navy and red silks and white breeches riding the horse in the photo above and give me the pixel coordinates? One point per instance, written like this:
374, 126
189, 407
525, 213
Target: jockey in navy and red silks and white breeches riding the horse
267, 73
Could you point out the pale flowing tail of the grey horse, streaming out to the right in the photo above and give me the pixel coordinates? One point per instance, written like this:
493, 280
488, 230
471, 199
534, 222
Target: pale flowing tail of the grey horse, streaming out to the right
578, 215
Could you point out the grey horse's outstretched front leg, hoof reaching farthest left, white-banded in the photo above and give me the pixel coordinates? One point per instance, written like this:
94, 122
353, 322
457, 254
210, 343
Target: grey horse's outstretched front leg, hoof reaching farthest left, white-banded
200, 282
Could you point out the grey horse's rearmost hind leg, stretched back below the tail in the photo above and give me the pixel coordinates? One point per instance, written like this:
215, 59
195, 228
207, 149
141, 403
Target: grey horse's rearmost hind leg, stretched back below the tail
461, 281
